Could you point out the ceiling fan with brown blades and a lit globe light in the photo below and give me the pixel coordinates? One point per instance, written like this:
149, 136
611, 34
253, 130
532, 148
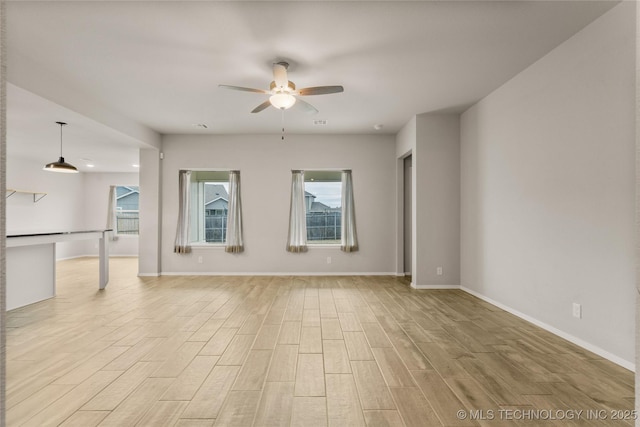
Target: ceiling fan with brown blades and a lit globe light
284, 93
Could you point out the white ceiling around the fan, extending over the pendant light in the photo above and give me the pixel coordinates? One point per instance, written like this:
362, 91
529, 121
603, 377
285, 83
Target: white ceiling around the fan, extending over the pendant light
160, 63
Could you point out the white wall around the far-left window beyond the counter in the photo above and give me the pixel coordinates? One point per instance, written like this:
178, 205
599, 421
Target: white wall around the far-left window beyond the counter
96, 195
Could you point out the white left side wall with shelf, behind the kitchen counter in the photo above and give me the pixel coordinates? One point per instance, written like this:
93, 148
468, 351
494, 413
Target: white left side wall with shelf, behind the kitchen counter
61, 209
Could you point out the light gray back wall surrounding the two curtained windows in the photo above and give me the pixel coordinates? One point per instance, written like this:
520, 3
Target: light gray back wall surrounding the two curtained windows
265, 163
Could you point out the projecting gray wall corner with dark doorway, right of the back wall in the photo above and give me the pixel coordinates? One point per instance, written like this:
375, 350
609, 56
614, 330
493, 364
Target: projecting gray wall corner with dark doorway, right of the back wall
433, 140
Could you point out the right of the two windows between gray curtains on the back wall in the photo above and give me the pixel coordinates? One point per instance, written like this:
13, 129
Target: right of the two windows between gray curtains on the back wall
323, 197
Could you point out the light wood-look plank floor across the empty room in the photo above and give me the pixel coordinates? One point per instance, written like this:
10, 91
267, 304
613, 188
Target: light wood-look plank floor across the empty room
291, 351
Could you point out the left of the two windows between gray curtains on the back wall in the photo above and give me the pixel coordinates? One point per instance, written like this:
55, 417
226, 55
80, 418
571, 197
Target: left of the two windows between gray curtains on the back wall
209, 206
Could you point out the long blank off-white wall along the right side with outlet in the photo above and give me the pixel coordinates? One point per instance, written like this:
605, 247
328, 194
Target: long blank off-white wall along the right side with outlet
548, 189
